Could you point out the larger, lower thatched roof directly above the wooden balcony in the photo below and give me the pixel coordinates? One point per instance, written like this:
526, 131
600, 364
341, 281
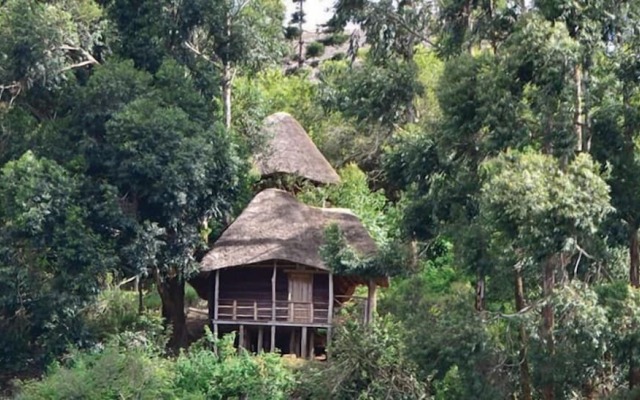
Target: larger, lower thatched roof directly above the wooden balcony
276, 226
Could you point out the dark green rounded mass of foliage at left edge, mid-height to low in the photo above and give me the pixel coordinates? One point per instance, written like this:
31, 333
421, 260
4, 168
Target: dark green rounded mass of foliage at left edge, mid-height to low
51, 260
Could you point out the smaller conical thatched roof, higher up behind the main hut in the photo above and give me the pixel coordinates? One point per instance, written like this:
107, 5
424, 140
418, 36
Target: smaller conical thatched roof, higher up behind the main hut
289, 150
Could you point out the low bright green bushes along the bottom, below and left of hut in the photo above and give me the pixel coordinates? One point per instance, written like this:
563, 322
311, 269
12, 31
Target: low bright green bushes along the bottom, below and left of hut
131, 366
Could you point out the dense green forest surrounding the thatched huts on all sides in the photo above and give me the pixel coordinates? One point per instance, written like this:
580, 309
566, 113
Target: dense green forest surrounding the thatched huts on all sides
490, 147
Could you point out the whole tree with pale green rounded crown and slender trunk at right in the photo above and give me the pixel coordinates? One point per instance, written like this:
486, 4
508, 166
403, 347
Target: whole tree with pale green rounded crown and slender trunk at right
543, 214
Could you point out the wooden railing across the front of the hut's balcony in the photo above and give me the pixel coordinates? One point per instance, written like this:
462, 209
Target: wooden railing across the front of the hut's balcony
263, 310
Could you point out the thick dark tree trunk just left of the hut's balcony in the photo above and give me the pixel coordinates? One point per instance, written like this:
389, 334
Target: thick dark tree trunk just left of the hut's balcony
171, 291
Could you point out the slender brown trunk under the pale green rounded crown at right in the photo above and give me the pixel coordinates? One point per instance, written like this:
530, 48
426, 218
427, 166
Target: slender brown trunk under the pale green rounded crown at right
548, 284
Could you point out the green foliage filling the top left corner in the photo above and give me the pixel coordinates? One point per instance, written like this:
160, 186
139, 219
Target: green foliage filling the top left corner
42, 41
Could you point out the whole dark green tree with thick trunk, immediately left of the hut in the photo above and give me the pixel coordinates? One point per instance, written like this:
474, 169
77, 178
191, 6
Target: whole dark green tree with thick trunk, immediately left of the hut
174, 171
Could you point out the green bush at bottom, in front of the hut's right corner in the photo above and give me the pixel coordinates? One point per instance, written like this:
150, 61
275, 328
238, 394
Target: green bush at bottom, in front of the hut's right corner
367, 362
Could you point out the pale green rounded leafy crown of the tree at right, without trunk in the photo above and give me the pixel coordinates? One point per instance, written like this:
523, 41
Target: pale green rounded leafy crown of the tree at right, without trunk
540, 207
